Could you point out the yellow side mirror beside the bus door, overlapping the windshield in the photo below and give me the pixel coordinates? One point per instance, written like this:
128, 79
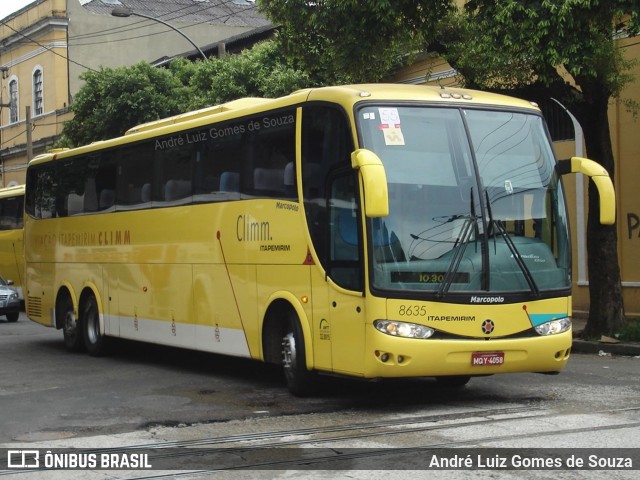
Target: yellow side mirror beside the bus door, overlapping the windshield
374, 182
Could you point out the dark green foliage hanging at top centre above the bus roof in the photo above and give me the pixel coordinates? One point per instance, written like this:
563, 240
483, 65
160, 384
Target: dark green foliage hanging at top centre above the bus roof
344, 41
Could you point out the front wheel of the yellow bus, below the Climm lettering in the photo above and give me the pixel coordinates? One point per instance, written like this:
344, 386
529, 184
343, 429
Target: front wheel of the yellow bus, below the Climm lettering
300, 381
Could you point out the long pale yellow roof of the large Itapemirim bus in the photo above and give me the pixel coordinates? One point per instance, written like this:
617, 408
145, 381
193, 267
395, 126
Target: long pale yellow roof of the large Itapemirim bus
346, 96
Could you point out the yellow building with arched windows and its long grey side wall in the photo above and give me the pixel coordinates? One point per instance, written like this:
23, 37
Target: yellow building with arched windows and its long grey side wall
48, 44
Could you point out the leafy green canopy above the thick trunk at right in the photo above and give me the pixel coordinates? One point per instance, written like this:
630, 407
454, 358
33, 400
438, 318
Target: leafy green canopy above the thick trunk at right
512, 44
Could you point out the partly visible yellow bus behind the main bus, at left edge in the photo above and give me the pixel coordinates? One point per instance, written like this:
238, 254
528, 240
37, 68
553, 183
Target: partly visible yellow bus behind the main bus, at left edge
11, 244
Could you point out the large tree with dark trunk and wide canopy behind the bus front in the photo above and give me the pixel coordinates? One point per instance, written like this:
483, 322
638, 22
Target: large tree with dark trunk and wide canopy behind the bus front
559, 48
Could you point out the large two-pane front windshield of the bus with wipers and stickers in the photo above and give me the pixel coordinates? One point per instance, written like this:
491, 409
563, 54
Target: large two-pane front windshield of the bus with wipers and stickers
475, 204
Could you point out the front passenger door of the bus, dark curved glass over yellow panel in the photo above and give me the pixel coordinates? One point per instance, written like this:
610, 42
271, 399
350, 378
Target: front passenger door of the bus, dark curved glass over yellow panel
332, 214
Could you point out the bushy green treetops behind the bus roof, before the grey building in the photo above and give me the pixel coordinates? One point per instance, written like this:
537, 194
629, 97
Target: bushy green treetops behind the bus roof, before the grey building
112, 100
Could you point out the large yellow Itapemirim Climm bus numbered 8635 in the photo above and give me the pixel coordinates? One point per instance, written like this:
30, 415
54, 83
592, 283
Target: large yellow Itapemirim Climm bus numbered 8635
369, 231
